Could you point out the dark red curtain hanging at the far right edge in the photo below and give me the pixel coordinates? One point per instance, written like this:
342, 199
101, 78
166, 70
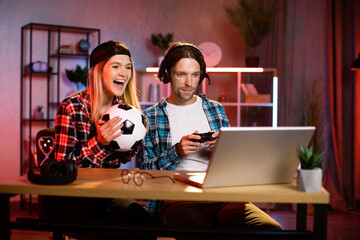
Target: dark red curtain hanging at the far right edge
342, 176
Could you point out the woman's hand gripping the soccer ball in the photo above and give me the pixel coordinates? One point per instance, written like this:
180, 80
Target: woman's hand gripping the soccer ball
107, 131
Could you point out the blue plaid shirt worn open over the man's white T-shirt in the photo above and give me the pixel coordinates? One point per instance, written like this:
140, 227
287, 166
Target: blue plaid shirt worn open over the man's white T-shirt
157, 153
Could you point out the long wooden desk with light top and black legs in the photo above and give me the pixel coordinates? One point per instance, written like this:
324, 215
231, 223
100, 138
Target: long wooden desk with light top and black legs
107, 183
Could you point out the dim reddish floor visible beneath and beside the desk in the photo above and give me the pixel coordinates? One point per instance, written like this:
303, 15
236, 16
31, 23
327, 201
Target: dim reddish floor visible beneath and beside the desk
341, 226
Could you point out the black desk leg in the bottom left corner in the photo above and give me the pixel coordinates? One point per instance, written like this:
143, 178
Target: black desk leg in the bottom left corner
5, 232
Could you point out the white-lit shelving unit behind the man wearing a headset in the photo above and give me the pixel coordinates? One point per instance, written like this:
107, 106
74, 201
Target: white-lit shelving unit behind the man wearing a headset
265, 79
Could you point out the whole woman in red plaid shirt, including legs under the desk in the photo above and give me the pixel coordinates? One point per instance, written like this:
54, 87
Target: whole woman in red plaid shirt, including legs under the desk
82, 136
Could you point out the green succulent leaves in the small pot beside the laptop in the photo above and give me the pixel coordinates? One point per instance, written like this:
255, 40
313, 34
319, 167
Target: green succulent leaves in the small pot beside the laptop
309, 159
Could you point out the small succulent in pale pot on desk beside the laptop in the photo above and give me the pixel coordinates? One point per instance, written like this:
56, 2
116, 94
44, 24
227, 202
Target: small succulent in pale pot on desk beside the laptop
310, 173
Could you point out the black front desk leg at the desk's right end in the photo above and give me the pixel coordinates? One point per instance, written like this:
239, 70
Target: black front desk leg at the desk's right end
320, 221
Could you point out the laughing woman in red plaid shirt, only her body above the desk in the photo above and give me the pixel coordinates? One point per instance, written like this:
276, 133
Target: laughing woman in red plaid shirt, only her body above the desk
80, 133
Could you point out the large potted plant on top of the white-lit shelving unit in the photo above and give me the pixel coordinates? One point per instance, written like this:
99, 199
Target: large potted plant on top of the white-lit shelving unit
254, 22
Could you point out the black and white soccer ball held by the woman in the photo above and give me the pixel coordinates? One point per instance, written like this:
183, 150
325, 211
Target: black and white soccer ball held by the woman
134, 129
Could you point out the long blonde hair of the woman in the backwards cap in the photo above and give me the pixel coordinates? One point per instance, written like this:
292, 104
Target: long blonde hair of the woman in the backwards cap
95, 90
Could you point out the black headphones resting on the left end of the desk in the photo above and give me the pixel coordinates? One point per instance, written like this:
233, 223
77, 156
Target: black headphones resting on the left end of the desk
52, 172
